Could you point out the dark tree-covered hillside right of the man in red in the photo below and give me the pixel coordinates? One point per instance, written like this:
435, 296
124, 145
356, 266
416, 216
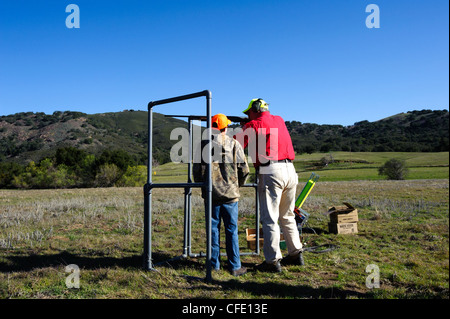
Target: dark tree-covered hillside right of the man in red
415, 131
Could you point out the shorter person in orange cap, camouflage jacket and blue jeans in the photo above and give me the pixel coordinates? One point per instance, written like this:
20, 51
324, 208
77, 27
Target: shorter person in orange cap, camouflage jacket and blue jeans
229, 172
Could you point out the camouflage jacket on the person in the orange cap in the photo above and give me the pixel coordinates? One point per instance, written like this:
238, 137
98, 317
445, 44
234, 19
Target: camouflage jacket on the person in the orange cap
229, 168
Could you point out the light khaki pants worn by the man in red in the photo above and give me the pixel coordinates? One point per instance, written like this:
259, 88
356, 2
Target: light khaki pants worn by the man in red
277, 189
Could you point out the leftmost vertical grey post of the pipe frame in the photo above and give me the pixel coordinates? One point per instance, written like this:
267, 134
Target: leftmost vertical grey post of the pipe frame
148, 199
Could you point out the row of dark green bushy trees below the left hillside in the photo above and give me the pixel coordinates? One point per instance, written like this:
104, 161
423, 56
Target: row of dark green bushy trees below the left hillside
71, 168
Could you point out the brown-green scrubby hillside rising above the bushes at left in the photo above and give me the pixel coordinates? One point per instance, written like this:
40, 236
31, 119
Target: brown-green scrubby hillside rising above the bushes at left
33, 136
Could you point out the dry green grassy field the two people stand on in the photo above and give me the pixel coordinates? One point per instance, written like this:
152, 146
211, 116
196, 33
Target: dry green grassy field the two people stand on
403, 230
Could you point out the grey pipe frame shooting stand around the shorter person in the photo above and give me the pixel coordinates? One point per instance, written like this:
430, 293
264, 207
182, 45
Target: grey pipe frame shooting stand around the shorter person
148, 187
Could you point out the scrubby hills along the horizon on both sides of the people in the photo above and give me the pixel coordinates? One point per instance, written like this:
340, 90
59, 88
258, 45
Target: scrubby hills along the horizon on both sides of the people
33, 136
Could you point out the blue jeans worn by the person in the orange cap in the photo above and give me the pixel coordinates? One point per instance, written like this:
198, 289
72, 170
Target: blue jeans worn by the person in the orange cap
229, 214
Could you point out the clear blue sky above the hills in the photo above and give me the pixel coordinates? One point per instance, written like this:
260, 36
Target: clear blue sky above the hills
313, 61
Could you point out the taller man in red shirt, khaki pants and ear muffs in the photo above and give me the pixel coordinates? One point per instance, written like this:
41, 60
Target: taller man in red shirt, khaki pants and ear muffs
270, 148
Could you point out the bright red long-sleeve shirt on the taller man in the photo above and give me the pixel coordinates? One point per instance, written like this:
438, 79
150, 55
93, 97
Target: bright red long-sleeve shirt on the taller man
271, 130
